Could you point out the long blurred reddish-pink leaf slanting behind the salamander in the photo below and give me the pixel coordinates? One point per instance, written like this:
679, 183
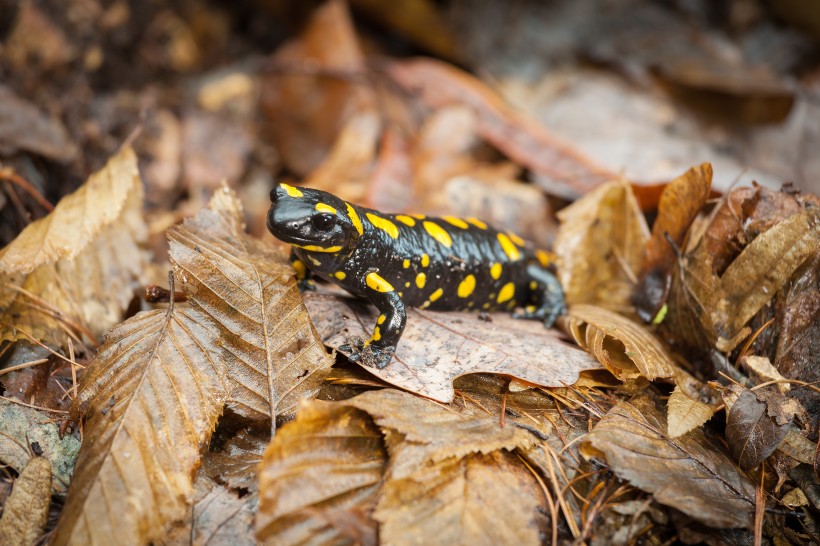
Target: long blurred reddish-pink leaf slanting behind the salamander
517, 136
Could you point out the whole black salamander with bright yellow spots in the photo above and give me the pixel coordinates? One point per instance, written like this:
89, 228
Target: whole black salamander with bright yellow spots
396, 261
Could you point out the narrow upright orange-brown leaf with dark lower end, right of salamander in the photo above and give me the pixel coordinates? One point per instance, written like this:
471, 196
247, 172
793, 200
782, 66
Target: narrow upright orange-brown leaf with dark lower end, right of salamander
680, 203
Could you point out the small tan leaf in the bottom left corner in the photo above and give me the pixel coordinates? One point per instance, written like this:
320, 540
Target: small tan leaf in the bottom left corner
26, 510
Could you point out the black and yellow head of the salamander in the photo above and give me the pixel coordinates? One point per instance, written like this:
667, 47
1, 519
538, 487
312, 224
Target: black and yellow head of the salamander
313, 220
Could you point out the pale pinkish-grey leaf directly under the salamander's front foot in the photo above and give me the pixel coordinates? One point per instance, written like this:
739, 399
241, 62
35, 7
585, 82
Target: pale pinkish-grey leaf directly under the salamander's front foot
438, 347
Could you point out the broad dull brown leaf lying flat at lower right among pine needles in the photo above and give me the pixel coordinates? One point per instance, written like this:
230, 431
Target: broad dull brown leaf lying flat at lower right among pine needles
690, 473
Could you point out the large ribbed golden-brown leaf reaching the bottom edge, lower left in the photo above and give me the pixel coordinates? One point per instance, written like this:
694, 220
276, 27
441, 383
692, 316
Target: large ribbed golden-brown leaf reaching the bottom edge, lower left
151, 397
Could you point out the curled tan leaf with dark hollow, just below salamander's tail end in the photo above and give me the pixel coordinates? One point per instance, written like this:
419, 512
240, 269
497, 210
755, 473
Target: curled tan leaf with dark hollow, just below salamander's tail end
624, 347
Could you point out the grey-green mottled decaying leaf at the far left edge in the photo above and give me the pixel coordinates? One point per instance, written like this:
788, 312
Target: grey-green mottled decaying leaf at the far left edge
21, 426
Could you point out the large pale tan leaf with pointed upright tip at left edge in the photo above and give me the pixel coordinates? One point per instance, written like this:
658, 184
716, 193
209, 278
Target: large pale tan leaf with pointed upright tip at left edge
80, 264
